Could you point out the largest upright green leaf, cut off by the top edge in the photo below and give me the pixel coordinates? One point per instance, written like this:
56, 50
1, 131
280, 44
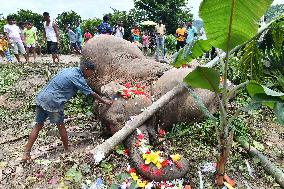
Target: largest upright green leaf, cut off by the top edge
231, 20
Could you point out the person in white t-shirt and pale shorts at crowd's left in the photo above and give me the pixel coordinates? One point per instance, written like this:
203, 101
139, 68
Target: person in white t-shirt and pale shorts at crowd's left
13, 34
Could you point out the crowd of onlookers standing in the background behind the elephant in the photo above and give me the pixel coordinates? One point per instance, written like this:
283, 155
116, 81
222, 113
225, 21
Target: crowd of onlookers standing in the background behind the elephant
23, 39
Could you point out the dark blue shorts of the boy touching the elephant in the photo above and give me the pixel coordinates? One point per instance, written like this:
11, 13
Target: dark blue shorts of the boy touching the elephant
54, 117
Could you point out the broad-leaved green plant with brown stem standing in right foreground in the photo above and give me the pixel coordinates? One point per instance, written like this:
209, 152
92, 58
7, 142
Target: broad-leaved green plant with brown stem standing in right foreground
227, 26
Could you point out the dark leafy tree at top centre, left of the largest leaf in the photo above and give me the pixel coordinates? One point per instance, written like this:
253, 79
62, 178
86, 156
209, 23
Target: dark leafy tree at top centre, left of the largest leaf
171, 12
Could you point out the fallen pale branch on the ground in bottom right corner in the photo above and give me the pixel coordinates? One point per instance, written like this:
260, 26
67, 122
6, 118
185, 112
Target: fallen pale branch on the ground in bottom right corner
275, 172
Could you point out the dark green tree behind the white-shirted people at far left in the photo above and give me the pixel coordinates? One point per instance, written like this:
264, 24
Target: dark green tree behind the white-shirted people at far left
27, 15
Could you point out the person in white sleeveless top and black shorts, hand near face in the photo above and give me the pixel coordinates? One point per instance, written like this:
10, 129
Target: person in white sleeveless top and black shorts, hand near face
51, 35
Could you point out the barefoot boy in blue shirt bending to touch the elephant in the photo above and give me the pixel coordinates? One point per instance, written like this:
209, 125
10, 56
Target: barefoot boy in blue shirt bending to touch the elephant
50, 100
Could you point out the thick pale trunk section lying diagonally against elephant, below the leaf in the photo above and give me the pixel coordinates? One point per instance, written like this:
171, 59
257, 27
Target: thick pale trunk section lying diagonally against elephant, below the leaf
106, 147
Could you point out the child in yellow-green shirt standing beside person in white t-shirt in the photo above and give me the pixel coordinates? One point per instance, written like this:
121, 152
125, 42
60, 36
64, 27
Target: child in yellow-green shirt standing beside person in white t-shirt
30, 40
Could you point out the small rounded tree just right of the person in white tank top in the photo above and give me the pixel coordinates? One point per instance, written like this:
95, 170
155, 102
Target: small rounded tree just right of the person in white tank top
69, 18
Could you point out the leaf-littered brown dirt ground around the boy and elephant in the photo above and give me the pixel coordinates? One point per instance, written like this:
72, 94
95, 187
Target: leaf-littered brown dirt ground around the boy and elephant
51, 168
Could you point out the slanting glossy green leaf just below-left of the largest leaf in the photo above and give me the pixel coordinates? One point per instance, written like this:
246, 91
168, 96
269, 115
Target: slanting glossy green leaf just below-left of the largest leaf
190, 52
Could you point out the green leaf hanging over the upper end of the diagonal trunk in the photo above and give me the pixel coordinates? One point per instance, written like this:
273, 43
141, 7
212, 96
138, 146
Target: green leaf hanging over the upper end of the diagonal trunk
204, 78
